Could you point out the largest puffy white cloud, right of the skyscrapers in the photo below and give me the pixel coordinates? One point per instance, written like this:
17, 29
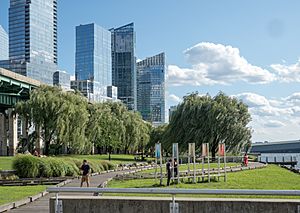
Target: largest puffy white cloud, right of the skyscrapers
217, 64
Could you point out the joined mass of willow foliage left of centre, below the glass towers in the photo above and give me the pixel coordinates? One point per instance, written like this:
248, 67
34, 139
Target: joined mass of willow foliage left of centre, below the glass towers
68, 122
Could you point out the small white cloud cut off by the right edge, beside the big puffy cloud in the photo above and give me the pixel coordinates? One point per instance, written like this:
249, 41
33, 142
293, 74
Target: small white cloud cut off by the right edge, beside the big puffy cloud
287, 73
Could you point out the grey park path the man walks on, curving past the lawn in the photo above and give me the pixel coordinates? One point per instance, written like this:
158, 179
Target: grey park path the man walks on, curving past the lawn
42, 205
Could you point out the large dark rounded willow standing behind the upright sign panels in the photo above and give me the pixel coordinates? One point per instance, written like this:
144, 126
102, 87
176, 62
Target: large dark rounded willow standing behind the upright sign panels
205, 119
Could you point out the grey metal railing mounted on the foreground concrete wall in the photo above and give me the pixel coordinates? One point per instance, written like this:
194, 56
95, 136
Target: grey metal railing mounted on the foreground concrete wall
171, 192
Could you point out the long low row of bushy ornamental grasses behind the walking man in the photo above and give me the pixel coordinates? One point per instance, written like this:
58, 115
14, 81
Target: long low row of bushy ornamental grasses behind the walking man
28, 166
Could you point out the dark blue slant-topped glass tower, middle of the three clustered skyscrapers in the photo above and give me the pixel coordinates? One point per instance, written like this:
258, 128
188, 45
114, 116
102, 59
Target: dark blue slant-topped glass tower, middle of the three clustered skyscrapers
123, 64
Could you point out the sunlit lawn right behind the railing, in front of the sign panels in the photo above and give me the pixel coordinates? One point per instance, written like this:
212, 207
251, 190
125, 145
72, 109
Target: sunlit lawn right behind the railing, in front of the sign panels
271, 177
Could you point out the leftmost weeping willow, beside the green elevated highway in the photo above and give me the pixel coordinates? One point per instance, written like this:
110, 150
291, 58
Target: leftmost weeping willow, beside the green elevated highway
61, 117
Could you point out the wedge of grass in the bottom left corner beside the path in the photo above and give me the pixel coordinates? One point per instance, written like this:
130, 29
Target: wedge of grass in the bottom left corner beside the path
14, 193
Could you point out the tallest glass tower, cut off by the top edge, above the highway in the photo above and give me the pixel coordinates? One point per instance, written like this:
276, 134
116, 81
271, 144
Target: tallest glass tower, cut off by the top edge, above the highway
33, 38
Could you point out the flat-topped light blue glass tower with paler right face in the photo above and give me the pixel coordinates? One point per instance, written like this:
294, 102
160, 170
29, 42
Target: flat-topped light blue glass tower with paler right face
93, 57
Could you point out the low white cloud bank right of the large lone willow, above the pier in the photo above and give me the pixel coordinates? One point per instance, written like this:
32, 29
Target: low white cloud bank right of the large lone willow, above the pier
273, 119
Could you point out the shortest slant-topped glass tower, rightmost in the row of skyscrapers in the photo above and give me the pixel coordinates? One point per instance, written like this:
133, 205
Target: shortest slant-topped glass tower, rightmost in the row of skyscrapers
151, 88
